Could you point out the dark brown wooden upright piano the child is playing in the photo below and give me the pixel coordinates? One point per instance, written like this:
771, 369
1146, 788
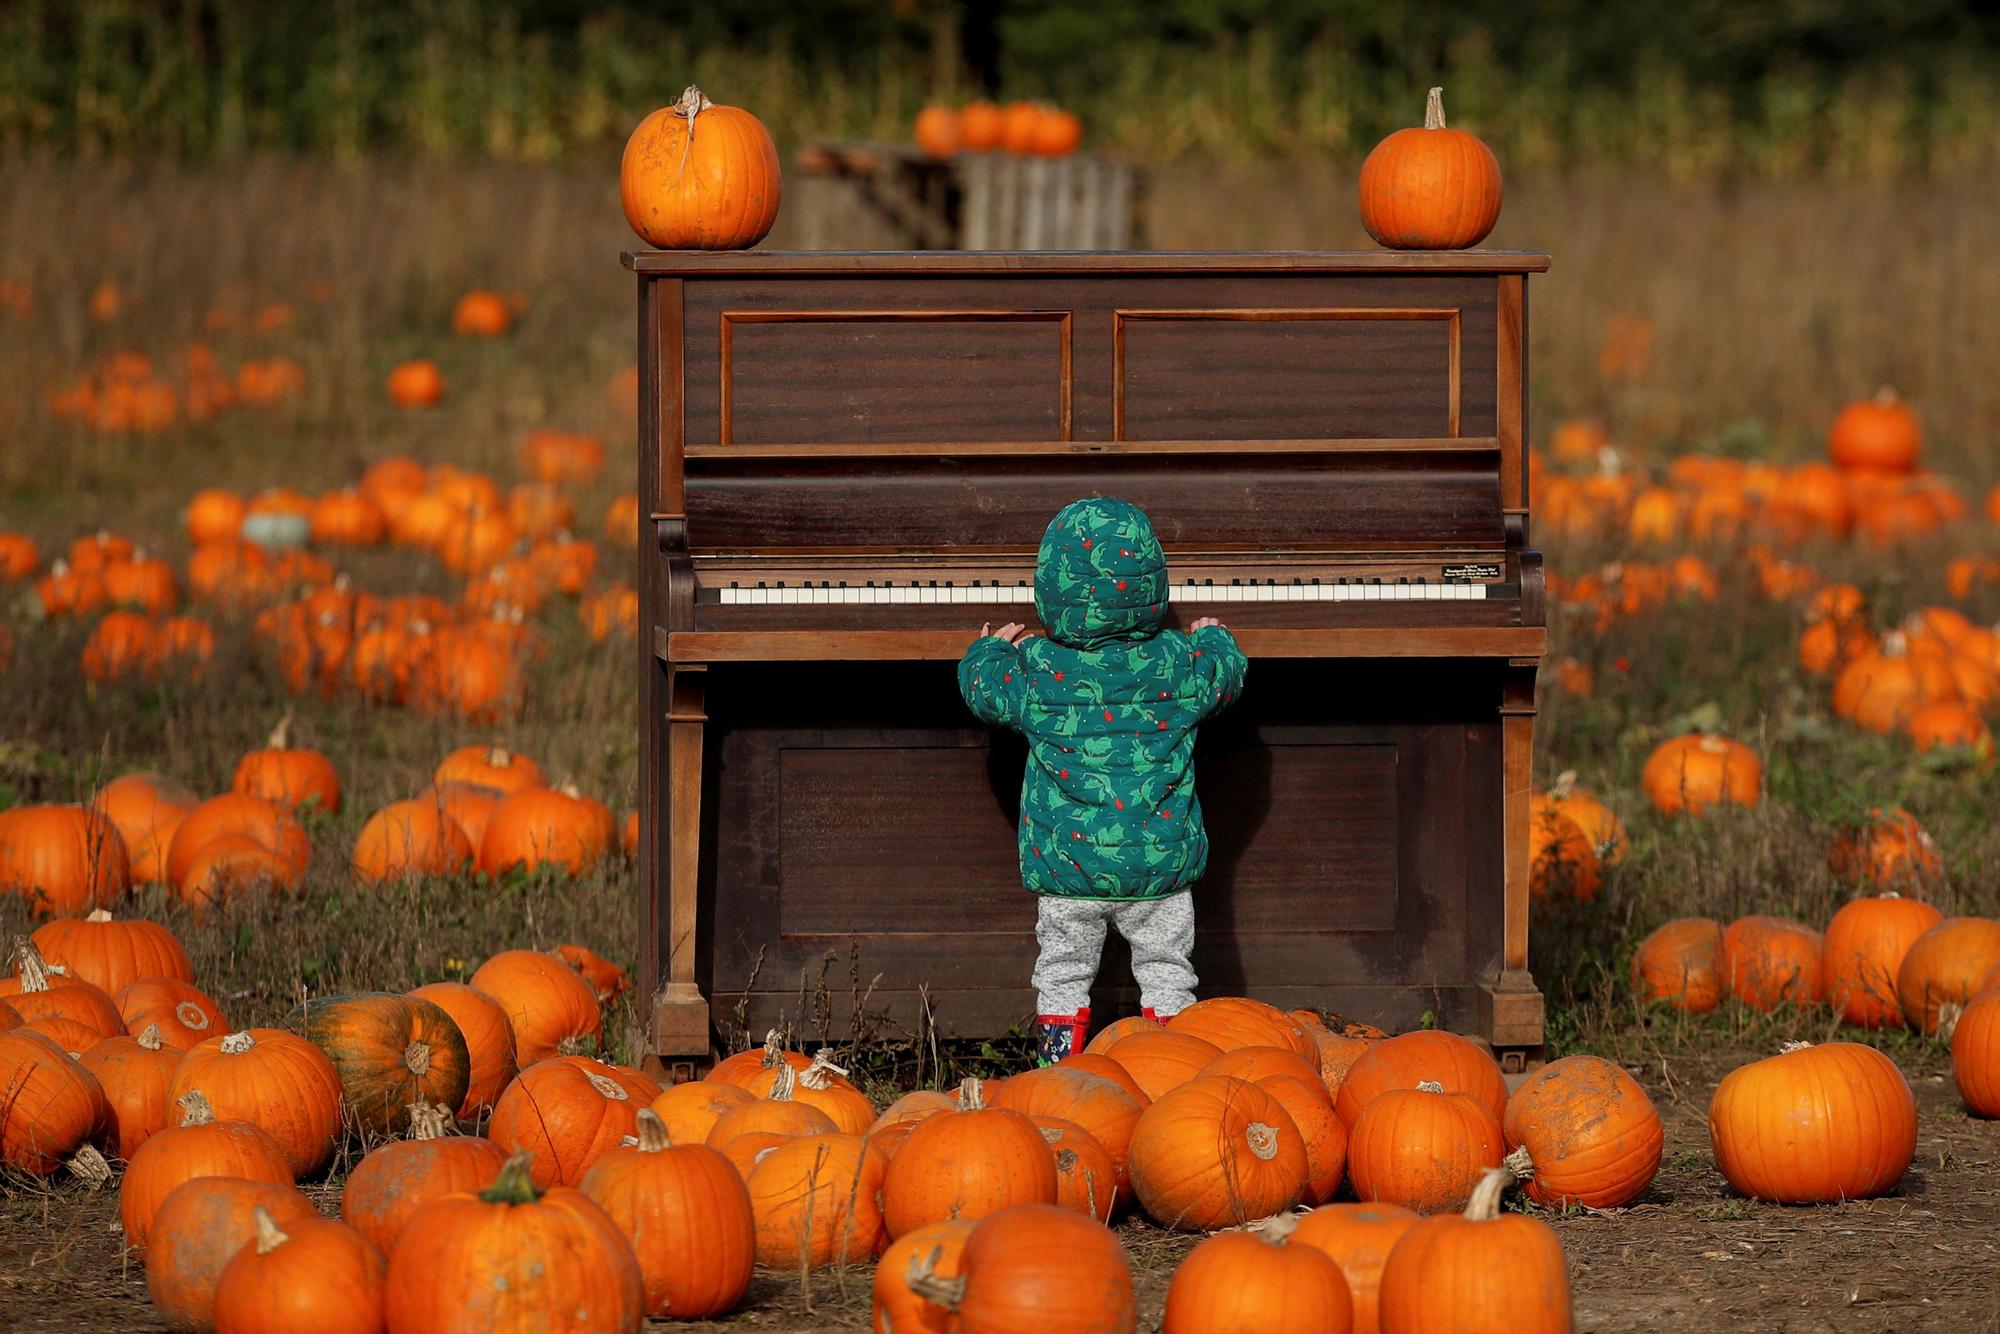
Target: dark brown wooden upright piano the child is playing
849, 461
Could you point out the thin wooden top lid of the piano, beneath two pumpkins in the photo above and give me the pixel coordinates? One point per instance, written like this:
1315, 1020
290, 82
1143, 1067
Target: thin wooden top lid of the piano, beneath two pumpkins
775, 263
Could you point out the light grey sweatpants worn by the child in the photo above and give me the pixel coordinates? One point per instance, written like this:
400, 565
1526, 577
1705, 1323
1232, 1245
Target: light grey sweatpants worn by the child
1071, 933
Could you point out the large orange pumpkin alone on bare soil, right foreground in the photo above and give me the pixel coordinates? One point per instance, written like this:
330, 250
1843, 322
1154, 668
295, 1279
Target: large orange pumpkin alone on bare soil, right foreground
1815, 1125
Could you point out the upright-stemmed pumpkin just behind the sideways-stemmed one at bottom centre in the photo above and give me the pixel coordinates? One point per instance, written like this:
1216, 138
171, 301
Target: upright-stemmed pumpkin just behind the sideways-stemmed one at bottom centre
967, 1165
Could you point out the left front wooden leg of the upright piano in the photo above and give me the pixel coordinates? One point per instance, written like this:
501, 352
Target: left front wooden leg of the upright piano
681, 1031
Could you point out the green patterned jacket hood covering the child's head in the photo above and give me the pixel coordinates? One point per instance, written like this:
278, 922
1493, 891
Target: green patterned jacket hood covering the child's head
1101, 575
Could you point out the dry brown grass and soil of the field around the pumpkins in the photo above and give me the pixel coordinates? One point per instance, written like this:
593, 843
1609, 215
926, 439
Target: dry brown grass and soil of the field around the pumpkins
1763, 305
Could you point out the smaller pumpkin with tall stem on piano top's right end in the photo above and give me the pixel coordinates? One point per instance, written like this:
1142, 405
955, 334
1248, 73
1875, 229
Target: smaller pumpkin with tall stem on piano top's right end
1431, 189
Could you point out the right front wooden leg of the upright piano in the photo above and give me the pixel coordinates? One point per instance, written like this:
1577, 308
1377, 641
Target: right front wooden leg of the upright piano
1511, 1005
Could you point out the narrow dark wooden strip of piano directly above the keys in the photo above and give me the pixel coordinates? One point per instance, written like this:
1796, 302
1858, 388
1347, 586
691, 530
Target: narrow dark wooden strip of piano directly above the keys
1283, 501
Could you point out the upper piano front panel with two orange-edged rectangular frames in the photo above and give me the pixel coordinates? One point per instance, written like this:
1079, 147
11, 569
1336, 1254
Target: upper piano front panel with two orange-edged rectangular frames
883, 359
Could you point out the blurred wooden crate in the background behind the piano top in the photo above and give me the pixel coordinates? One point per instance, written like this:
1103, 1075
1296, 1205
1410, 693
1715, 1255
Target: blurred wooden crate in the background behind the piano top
891, 197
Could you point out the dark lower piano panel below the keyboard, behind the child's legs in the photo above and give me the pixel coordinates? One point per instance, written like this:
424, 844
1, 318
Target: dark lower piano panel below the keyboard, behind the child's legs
863, 831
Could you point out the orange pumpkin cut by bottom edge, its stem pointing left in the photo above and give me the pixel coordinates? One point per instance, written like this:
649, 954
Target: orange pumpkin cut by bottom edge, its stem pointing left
1037, 1267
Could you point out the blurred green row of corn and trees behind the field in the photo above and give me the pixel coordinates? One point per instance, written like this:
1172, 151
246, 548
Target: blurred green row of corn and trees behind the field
1703, 87
